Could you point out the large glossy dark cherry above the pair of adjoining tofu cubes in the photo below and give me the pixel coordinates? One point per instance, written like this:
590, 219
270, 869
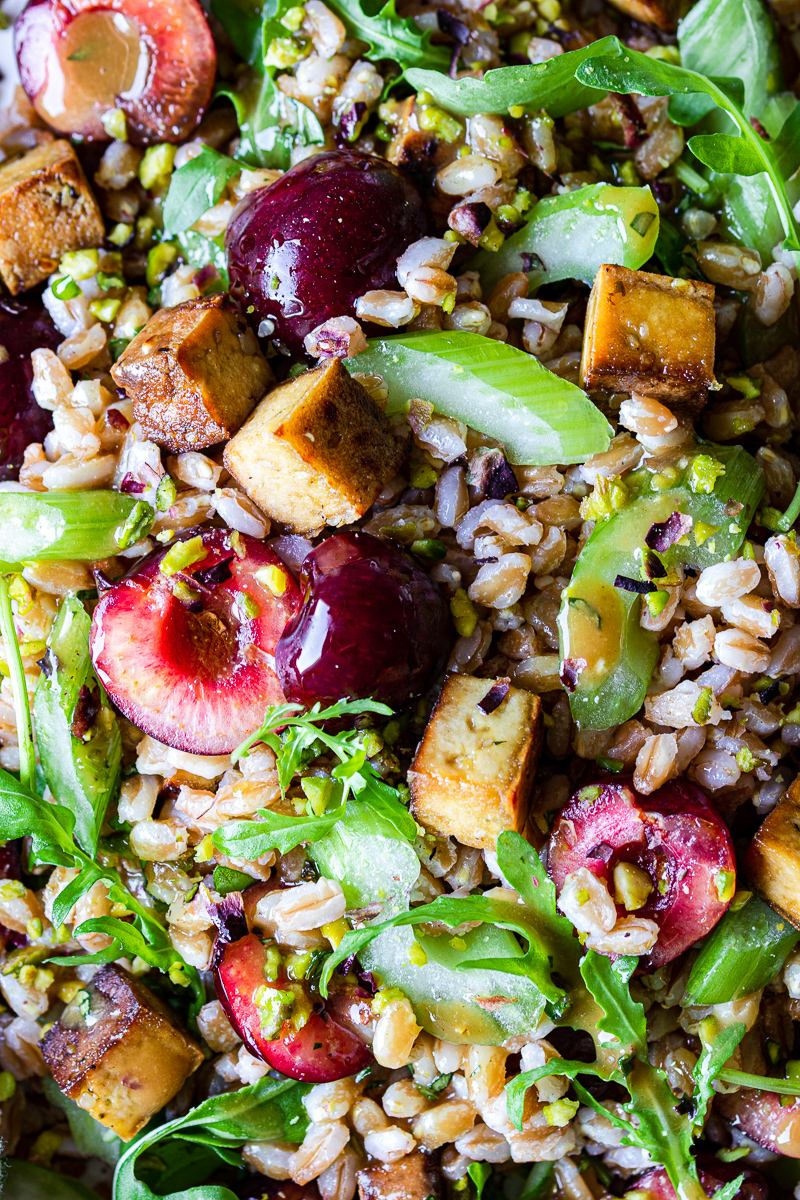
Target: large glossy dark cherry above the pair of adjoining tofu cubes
330, 230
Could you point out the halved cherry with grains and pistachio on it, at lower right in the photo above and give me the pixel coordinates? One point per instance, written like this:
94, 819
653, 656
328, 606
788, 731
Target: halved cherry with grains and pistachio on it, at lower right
675, 836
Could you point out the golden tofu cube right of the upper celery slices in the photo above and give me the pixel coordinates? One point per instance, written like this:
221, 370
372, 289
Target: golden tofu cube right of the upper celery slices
649, 334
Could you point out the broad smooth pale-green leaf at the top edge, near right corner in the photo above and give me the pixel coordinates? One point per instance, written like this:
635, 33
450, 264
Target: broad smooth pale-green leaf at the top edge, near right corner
733, 38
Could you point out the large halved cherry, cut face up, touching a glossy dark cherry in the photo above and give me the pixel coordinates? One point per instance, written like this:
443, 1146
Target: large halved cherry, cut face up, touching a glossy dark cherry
189, 655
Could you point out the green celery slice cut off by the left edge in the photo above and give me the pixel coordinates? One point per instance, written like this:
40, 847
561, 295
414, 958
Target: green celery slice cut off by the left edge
37, 526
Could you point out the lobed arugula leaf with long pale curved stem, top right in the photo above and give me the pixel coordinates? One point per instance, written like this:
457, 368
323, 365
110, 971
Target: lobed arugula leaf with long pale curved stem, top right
631, 73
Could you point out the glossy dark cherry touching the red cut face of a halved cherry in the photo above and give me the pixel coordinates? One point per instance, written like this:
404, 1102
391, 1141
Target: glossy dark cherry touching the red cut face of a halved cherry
372, 625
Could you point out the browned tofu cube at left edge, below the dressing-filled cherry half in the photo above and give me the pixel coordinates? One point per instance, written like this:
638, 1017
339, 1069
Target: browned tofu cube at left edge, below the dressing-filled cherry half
46, 211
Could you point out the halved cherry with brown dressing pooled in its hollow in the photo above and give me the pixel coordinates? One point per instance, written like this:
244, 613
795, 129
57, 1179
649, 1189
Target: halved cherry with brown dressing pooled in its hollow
81, 59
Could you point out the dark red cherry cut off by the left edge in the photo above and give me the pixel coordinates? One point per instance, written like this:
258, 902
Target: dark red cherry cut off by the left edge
23, 328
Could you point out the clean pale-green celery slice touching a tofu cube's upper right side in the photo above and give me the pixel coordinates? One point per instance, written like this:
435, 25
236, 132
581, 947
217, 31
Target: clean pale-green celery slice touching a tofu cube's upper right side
495, 388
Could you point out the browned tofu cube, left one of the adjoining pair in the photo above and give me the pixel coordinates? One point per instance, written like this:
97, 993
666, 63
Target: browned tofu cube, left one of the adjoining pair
195, 374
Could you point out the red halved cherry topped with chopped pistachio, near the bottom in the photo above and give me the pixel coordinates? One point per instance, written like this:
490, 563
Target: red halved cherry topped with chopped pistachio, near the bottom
318, 1053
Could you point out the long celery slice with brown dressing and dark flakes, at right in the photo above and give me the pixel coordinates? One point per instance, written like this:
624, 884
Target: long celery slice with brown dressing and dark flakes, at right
600, 623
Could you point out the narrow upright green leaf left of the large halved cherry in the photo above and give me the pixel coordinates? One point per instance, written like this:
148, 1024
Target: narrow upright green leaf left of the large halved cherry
77, 733
